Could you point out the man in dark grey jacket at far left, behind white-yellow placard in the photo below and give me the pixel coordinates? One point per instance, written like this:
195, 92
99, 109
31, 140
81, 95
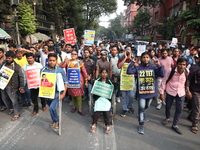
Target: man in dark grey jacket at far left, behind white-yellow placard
9, 94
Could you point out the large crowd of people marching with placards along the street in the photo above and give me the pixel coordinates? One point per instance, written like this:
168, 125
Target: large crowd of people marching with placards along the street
160, 74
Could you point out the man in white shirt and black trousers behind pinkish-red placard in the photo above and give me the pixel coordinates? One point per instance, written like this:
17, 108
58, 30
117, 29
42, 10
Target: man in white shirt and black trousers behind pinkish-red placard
32, 65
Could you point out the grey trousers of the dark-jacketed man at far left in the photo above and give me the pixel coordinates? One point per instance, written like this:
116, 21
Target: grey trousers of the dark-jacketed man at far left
10, 99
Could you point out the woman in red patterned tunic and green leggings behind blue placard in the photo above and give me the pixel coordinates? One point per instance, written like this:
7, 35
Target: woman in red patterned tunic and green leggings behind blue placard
76, 93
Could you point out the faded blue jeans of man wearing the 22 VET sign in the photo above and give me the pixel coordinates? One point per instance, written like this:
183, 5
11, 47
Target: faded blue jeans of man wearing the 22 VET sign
143, 105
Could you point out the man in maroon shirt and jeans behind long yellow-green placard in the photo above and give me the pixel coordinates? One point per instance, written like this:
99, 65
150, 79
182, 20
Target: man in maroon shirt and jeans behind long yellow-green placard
127, 95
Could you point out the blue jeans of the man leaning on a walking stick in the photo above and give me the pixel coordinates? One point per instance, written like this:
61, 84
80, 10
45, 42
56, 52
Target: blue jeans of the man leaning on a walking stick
53, 104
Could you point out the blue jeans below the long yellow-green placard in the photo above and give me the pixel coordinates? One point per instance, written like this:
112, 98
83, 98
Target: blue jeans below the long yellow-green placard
127, 98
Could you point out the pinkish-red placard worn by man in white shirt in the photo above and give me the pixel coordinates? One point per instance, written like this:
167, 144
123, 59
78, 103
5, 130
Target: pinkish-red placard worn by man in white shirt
33, 78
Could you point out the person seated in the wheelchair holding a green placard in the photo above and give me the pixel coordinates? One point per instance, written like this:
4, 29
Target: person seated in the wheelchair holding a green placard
106, 114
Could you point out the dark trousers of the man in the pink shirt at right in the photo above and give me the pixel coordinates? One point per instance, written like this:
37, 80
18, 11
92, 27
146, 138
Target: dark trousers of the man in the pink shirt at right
179, 107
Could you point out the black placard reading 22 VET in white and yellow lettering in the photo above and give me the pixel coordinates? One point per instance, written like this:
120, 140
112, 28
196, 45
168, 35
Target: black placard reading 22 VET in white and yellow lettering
146, 81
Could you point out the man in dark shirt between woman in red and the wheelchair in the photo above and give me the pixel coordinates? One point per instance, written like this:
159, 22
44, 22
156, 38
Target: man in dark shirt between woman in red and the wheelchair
90, 68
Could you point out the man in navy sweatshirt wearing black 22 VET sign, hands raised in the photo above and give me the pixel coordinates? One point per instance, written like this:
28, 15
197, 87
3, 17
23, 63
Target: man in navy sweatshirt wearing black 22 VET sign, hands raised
146, 86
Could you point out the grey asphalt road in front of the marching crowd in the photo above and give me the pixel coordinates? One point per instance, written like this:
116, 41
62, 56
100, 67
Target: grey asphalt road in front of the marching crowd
34, 133
